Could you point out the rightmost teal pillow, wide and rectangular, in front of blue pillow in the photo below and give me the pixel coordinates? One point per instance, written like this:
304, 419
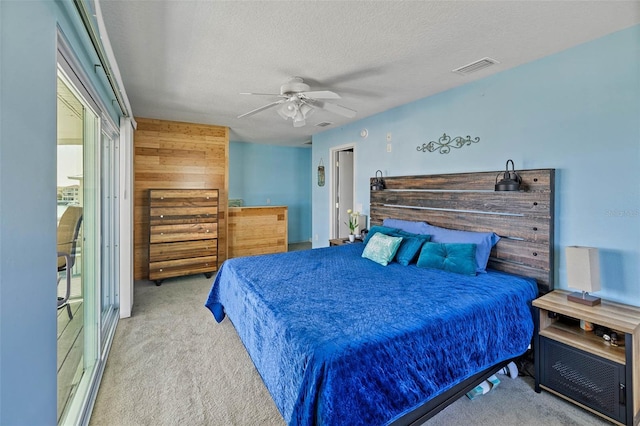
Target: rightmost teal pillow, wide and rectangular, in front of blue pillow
458, 258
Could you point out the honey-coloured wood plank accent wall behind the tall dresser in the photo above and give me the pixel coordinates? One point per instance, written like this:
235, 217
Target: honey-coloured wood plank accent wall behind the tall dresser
177, 155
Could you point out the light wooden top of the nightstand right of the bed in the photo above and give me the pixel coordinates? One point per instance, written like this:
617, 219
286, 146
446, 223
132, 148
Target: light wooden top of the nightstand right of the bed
614, 315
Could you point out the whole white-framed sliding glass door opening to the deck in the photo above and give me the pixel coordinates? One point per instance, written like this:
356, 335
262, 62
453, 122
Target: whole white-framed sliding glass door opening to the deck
88, 173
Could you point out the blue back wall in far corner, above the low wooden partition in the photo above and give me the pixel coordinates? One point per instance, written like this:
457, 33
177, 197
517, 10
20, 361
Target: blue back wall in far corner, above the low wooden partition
276, 175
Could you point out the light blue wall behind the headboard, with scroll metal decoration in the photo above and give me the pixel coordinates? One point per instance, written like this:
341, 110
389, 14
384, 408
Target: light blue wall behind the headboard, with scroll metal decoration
577, 111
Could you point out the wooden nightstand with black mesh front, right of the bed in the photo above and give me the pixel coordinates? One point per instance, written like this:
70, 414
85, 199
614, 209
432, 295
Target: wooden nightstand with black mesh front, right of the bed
584, 368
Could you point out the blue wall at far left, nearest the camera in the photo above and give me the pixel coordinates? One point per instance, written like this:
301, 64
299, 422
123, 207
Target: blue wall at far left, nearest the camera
28, 347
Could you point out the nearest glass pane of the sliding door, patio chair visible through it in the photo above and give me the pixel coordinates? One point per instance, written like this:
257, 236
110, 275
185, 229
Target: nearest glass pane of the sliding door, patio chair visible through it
75, 124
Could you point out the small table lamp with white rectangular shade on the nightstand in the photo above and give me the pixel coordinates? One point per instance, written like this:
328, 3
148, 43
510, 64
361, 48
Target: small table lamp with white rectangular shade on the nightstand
583, 273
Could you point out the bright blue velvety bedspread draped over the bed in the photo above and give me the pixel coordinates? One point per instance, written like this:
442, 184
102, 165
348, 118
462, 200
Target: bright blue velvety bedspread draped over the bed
341, 340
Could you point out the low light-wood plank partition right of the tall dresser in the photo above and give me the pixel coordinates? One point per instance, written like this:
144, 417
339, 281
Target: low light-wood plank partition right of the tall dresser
257, 230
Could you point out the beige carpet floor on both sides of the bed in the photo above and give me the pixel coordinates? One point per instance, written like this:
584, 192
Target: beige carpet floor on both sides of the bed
171, 363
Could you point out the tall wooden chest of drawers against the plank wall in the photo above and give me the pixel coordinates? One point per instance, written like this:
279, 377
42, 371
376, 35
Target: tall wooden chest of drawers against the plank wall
183, 233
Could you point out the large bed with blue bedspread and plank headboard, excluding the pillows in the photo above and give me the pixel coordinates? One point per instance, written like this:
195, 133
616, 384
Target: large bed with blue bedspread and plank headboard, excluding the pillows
339, 339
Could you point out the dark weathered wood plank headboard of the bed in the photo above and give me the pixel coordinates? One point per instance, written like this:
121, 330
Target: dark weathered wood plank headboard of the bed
467, 201
